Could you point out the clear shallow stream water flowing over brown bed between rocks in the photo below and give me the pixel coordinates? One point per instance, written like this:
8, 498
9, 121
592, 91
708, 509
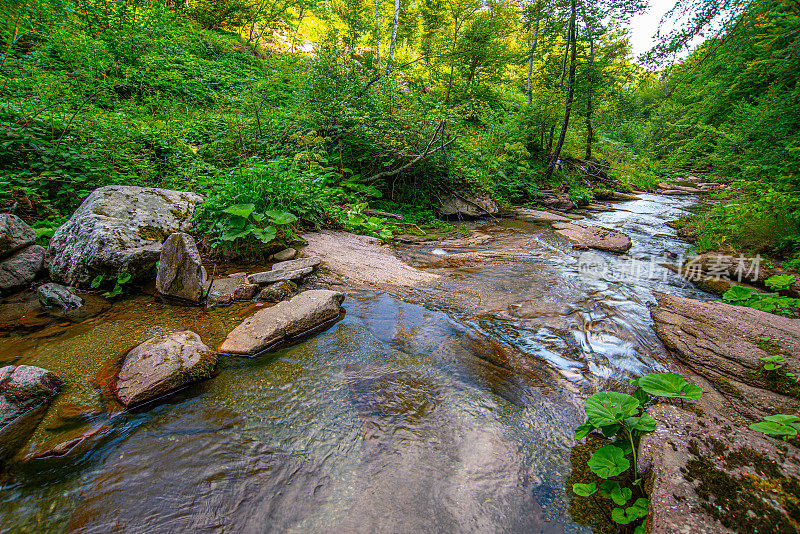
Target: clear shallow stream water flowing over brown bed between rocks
439, 410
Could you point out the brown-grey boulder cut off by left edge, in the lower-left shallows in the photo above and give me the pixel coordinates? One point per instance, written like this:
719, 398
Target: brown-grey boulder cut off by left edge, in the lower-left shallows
25, 394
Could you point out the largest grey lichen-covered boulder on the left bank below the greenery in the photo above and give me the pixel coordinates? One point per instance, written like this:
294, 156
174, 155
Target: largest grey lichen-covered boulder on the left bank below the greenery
118, 229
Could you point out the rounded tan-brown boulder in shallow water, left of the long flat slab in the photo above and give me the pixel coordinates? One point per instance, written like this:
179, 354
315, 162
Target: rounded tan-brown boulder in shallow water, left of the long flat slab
163, 364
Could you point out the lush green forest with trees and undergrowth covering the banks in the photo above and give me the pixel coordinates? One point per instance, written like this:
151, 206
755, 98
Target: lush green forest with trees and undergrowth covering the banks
325, 109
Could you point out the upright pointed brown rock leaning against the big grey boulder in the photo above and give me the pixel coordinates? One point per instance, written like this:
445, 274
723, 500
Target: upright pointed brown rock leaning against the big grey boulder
180, 269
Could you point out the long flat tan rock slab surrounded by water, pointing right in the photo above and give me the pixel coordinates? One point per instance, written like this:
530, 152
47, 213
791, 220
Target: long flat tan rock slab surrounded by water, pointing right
286, 319
